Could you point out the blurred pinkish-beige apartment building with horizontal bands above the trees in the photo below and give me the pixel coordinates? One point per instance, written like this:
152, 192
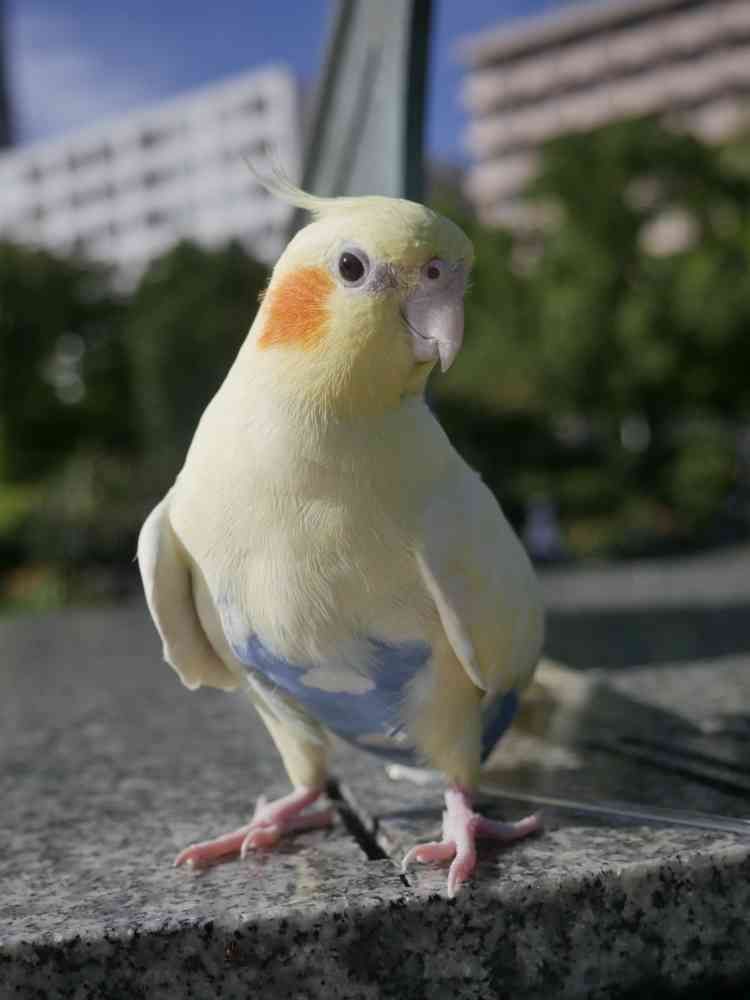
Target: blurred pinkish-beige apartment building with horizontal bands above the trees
589, 63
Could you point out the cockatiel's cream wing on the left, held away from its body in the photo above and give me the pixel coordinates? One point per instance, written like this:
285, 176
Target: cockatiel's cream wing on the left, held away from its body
167, 581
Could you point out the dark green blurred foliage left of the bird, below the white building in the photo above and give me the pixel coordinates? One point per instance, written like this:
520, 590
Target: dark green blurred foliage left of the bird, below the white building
101, 395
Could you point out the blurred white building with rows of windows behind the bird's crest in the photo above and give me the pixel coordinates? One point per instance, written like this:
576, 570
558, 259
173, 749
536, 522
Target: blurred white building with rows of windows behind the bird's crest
127, 189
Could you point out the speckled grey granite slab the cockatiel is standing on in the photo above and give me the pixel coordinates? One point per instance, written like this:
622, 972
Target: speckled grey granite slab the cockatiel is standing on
107, 766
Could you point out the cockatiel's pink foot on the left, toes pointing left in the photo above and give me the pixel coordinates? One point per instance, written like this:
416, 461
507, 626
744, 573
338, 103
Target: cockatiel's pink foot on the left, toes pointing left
271, 820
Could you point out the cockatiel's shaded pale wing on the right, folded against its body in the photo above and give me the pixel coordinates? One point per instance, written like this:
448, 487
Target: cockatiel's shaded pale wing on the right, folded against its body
482, 583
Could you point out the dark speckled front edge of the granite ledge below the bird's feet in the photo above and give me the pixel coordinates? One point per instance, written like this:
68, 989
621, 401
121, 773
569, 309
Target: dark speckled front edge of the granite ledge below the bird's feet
365, 933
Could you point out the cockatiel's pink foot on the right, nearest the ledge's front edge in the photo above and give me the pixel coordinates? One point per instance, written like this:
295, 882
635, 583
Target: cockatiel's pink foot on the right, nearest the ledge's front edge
461, 827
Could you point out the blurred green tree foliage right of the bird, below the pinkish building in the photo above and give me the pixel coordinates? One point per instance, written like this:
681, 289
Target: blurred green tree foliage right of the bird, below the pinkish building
616, 337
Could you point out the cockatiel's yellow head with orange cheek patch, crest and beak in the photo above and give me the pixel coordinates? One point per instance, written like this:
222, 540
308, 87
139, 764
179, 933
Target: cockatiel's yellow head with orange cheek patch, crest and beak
363, 301
